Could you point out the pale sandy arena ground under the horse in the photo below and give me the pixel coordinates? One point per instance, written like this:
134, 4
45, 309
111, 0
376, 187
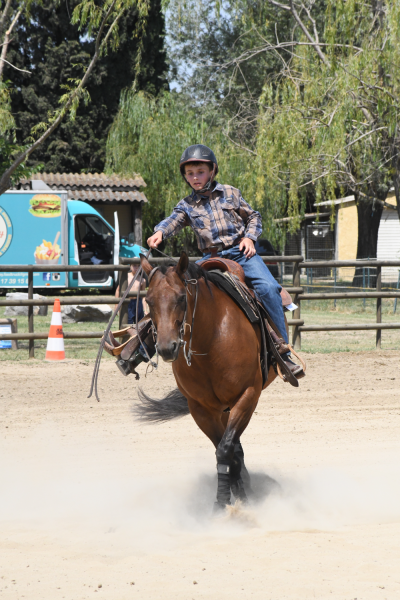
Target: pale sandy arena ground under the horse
93, 502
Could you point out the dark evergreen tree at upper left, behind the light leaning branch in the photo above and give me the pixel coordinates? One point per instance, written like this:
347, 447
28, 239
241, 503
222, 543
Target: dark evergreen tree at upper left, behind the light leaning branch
54, 50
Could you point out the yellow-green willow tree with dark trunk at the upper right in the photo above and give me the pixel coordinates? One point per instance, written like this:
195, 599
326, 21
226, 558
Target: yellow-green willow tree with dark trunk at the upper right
328, 125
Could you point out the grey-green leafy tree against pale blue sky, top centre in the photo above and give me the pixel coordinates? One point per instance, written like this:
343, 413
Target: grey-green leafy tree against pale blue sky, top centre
204, 40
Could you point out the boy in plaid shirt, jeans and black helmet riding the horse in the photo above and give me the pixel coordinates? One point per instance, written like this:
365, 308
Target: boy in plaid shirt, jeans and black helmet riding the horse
220, 217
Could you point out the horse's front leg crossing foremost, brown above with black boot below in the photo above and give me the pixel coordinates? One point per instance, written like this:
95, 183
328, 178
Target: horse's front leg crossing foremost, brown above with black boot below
229, 453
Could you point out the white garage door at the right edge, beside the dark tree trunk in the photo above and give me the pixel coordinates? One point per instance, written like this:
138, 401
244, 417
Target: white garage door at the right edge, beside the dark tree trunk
389, 243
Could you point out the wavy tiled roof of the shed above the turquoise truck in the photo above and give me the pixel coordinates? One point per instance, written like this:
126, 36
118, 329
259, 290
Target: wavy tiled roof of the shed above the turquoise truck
91, 187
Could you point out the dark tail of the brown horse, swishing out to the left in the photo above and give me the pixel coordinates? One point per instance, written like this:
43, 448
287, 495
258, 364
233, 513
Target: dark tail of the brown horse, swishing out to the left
173, 406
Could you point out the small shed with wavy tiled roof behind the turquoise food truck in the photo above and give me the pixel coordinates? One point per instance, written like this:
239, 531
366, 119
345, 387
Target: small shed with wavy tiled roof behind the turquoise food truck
106, 193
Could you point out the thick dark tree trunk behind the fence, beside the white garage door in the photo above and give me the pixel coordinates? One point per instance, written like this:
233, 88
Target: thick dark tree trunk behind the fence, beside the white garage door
369, 215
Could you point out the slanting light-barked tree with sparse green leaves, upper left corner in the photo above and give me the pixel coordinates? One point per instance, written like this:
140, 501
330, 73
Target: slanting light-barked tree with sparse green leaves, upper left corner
100, 25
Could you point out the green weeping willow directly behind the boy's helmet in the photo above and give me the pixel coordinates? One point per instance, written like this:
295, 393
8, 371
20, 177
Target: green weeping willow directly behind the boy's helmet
148, 137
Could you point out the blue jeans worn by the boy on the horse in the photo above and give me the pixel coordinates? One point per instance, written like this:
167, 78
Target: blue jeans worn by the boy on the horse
259, 278
